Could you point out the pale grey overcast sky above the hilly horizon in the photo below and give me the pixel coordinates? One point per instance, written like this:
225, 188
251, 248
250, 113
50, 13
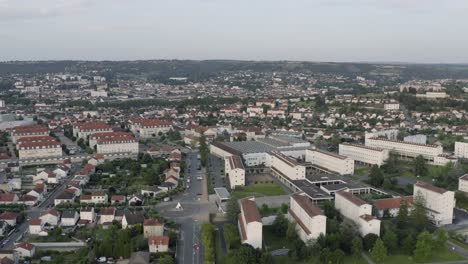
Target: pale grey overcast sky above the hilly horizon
429, 31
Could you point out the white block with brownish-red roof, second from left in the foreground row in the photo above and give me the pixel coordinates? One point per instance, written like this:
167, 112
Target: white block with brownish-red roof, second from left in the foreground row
310, 220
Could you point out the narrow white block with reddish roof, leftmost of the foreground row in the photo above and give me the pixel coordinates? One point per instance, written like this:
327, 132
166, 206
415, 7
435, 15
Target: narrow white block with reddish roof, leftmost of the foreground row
250, 223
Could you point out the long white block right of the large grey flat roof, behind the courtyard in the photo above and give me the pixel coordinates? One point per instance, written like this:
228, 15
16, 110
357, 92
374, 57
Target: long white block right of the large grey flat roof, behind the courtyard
330, 161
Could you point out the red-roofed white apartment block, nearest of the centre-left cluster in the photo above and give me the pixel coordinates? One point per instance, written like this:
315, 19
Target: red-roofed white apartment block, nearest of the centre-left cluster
117, 145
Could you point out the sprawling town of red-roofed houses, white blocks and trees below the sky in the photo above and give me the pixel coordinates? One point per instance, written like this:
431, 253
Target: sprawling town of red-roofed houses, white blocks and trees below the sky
102, 164
